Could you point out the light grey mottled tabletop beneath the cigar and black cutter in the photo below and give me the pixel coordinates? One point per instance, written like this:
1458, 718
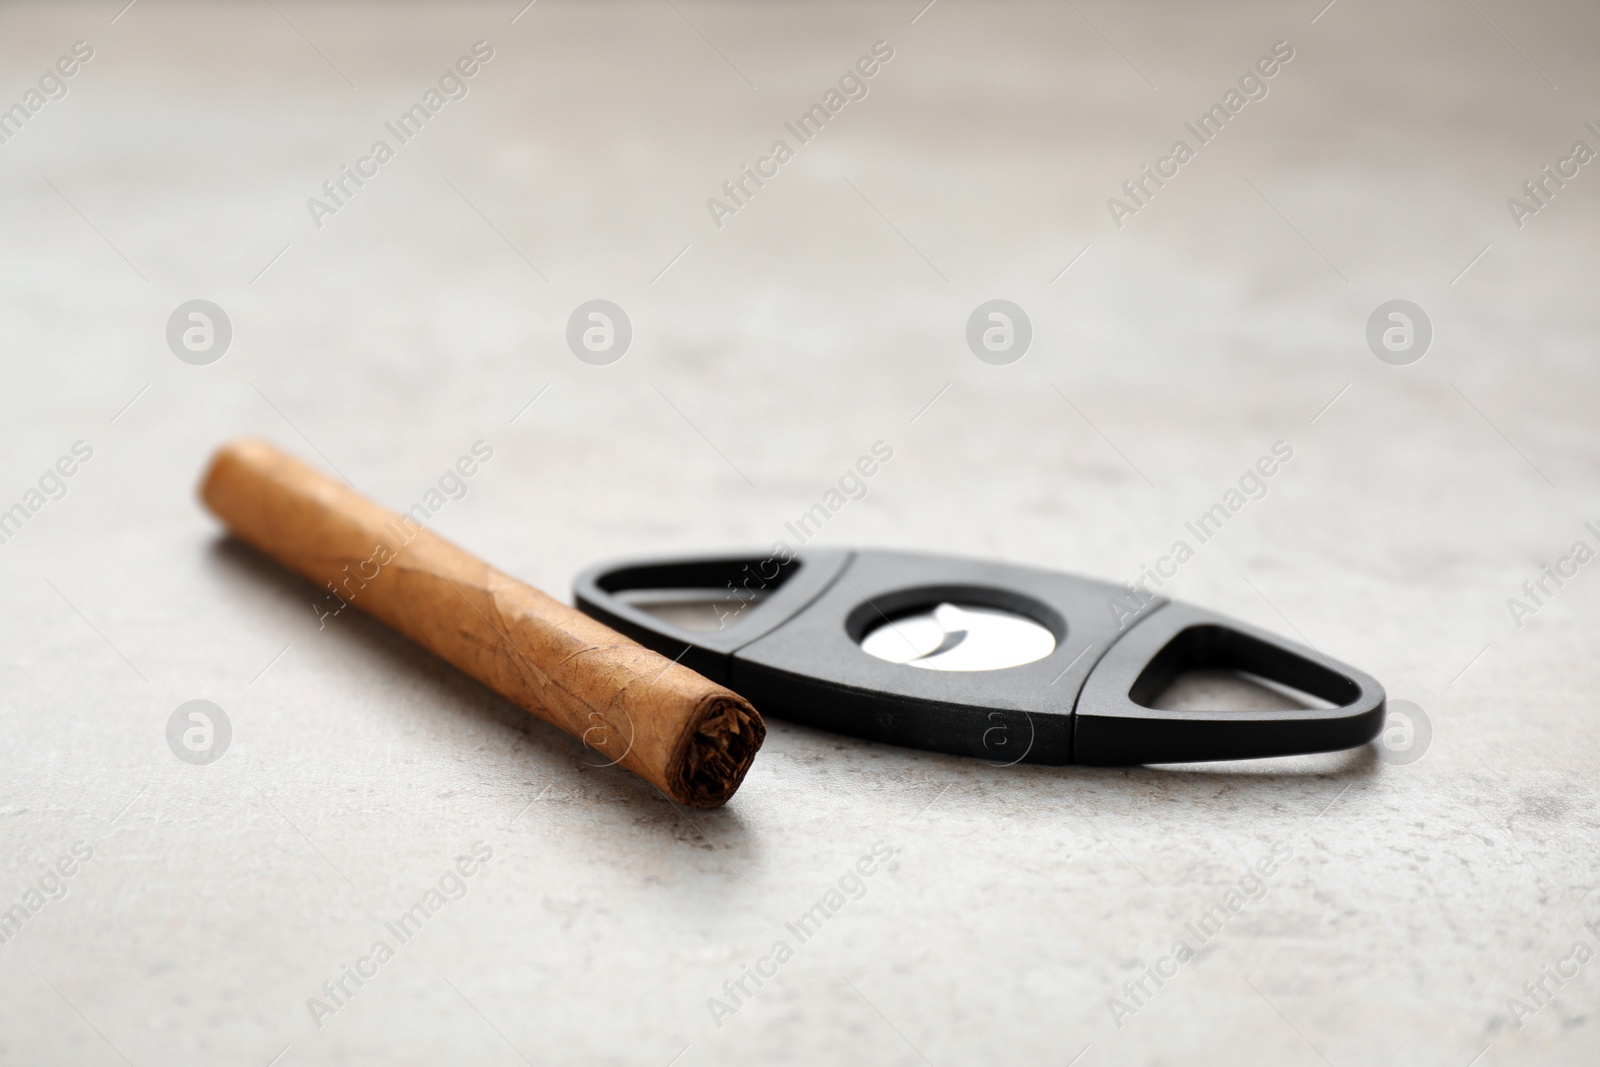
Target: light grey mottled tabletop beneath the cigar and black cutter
1020, 908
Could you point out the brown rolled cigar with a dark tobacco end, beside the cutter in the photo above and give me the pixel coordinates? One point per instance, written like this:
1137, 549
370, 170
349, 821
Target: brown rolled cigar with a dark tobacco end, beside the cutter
687, 737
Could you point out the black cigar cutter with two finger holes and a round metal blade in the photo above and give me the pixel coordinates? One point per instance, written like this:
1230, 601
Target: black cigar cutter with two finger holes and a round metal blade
1004, 663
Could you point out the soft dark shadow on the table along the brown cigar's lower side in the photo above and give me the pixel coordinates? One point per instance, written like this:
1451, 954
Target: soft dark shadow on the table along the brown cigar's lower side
572, 770
